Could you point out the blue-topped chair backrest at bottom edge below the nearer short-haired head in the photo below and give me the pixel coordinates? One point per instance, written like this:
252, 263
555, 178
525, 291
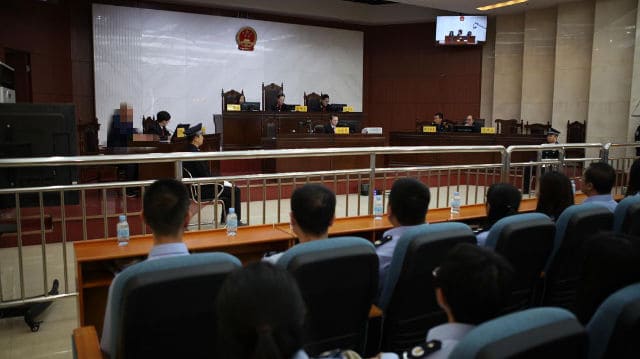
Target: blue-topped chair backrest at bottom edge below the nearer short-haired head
531, 333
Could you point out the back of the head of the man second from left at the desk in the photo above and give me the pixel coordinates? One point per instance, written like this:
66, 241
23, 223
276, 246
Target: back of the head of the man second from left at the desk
313, 206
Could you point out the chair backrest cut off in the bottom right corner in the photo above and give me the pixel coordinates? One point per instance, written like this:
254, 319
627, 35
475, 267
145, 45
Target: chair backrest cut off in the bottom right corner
615, 328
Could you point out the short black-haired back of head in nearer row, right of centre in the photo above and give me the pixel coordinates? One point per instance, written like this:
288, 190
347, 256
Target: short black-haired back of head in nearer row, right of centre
476, 283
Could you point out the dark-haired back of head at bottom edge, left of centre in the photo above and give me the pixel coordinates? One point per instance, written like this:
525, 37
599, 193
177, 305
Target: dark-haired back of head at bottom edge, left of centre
260, 313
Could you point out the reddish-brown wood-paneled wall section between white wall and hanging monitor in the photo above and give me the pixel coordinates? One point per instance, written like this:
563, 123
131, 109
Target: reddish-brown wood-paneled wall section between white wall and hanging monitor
408, 77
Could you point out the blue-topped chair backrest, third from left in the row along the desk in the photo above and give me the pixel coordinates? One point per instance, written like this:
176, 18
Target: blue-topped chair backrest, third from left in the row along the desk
408, 298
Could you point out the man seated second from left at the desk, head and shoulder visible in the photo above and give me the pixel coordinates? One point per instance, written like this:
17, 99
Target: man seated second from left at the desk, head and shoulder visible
313, 208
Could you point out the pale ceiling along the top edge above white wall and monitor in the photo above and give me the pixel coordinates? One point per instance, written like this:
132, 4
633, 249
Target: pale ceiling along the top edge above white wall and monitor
397, 12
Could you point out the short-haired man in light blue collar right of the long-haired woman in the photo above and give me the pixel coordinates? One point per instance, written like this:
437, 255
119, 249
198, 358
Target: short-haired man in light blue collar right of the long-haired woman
598, 182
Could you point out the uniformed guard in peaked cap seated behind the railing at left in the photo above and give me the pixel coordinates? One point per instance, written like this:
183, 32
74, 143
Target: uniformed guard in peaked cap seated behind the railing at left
198, 169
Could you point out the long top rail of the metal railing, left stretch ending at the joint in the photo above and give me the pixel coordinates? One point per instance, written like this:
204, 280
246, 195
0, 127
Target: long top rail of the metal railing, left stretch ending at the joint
235, 155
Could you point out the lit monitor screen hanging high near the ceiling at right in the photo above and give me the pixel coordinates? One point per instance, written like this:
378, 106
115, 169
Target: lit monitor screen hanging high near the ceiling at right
461, 30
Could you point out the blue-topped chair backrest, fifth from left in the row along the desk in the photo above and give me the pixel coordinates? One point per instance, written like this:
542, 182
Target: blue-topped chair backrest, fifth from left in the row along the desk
564, 267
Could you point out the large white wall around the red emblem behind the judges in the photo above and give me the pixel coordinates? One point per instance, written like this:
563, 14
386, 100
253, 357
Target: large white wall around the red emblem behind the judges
179, 62
